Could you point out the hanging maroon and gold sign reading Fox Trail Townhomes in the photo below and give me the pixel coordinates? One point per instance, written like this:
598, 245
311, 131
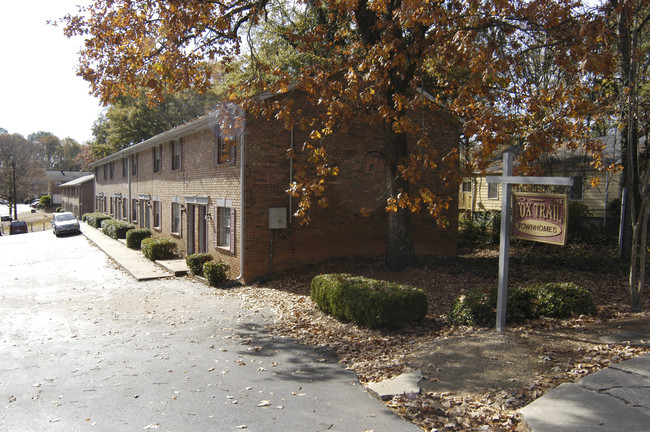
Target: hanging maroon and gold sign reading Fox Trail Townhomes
540, 217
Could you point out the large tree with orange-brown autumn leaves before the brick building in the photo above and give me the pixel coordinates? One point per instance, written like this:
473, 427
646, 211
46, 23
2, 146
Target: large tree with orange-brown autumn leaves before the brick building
512, 72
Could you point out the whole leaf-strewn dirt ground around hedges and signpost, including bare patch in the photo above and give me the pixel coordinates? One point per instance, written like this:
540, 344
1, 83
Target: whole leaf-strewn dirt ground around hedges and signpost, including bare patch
475, 378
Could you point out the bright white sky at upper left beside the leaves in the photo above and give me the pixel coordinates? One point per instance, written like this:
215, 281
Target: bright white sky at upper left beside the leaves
39, 89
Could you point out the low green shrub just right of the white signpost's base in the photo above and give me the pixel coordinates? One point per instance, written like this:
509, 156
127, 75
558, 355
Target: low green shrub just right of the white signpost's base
560, 300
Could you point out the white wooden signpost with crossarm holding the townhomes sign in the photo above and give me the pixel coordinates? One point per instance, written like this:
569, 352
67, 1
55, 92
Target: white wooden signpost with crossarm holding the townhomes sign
507, 180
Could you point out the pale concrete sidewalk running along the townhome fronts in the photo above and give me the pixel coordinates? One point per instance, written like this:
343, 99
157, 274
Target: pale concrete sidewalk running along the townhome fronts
130, 260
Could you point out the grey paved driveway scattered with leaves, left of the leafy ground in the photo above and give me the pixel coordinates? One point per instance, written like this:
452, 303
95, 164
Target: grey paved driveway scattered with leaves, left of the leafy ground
85, 347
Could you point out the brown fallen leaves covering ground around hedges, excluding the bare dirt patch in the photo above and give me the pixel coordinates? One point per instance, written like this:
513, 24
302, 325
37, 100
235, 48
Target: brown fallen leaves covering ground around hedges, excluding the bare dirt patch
376, 355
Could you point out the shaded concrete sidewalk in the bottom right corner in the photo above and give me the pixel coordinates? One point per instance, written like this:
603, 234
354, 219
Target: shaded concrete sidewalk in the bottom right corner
613, 399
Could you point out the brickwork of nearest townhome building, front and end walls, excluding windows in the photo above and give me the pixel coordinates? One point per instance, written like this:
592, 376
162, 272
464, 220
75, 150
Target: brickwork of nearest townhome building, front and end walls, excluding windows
336, 231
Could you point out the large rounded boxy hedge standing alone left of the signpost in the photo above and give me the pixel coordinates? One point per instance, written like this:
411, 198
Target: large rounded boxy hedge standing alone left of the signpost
368, 302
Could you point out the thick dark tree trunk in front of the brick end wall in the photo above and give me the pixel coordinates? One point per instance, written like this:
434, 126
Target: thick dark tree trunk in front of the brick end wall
400, 251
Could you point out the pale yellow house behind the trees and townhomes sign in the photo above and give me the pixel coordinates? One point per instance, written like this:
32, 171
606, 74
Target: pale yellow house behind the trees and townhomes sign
476, 195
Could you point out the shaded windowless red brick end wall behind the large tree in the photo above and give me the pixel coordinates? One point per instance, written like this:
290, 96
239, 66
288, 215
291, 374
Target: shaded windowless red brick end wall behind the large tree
338, 230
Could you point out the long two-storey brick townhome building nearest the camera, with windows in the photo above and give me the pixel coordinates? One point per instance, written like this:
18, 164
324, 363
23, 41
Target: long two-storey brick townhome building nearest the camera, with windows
222, 189
